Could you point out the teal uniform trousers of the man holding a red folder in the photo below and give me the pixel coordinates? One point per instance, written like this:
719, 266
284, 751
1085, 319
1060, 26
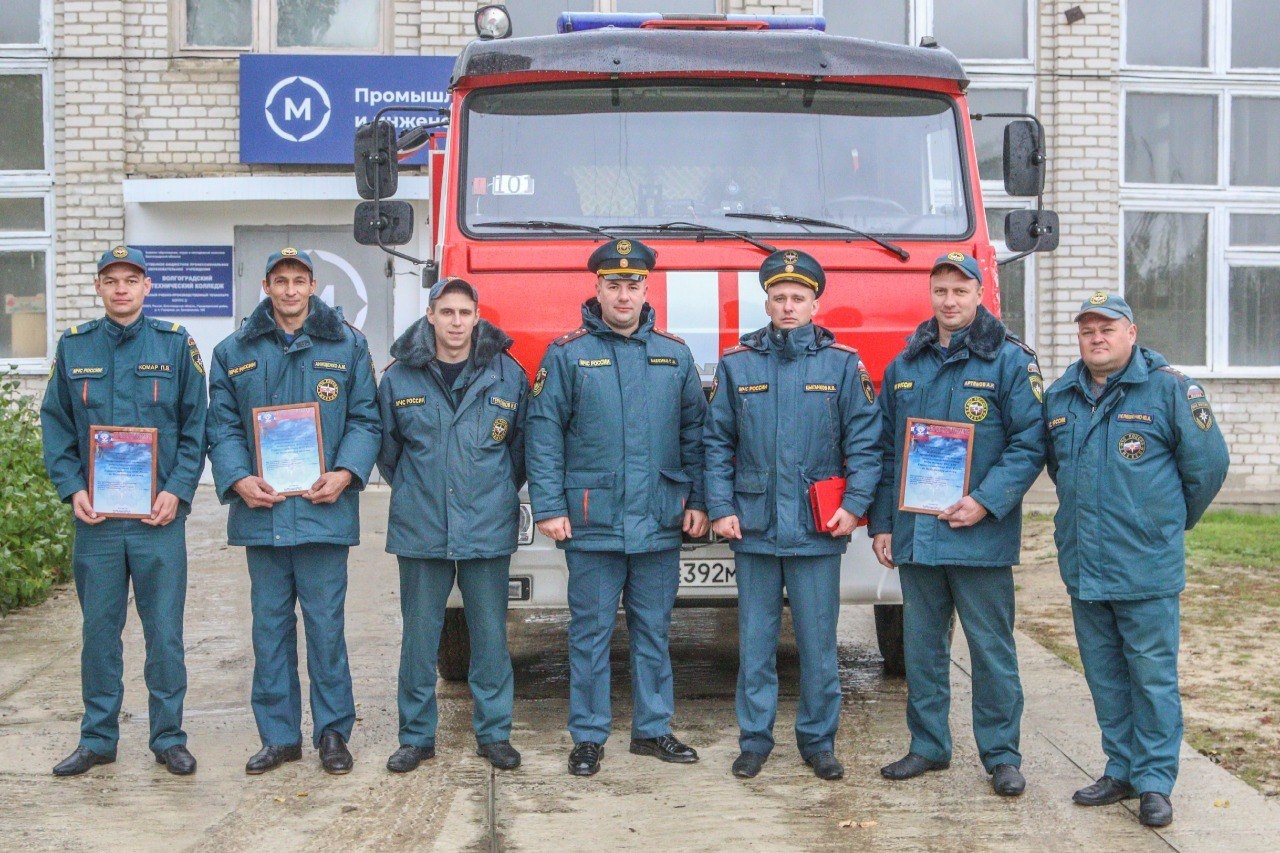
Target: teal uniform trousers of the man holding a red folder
812, 587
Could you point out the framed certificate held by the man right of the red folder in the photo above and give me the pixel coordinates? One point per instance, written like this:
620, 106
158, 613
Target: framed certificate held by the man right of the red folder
936, 460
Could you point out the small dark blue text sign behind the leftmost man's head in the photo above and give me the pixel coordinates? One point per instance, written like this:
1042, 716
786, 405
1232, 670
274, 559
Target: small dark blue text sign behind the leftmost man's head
189, 281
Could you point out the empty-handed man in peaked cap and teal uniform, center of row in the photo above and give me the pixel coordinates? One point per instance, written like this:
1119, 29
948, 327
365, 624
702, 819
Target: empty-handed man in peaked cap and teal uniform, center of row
616, 475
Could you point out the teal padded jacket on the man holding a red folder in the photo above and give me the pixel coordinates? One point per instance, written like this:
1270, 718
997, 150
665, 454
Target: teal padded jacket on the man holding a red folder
789, 410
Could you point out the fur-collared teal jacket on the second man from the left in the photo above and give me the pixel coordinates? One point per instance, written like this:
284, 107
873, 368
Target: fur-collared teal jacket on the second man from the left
327, 363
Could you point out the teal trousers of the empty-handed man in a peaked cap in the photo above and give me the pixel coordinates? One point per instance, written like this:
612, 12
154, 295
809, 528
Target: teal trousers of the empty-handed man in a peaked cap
647, 585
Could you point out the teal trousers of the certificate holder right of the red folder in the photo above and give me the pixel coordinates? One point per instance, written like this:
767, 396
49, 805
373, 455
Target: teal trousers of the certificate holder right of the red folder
984, 599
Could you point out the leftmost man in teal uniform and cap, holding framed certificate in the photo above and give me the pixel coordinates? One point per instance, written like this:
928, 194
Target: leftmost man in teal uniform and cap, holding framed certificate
129, 371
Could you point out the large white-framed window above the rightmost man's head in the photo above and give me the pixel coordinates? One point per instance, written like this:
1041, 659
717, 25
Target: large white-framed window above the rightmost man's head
1200, 191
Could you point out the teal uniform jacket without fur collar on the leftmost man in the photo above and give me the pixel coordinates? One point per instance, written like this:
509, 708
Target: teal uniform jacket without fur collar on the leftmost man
147, 375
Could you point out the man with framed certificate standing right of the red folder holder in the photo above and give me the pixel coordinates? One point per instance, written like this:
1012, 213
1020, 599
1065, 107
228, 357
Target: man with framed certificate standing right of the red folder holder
962, 366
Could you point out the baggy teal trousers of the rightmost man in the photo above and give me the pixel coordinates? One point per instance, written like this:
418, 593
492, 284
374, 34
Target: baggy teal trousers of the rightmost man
1130, 650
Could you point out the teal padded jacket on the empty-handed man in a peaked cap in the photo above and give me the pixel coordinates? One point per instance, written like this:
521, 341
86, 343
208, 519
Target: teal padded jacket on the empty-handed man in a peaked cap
616, 436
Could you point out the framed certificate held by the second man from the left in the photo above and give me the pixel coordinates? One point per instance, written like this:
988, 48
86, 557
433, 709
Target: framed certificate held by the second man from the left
290, 446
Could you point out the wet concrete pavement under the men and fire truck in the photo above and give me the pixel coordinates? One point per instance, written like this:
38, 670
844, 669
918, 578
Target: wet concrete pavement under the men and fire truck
458, 802
